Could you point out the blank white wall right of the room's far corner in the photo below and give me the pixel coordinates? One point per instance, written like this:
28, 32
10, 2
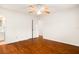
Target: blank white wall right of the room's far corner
62, 26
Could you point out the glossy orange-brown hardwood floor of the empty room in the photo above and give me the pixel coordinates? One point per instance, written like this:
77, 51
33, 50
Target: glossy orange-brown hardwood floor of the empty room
38, 46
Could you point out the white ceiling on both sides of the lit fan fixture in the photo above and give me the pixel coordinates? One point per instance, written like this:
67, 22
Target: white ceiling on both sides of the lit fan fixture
23, 7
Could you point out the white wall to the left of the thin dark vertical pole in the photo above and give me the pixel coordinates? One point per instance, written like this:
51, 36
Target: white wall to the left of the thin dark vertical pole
18, 25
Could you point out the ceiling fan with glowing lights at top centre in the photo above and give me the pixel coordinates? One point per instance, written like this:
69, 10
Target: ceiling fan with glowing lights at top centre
36, 9
